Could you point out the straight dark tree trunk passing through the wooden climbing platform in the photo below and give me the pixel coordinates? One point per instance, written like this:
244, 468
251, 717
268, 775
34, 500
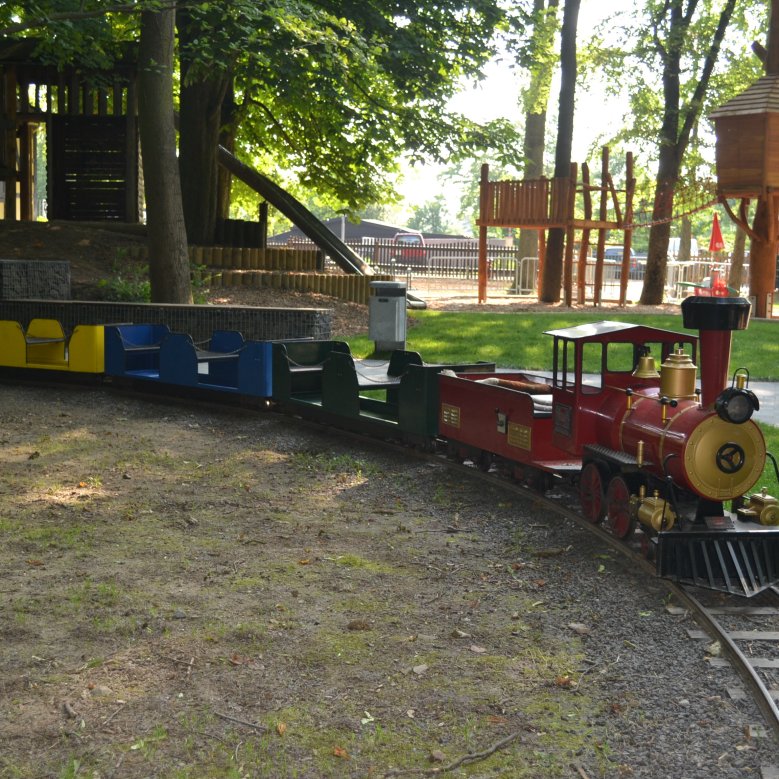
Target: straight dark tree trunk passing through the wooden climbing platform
553, 263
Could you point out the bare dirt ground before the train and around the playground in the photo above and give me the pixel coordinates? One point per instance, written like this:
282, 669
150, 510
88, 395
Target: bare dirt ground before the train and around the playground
194, 591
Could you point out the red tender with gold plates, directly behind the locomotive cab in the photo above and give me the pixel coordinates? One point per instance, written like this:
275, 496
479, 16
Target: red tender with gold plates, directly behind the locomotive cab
508, 414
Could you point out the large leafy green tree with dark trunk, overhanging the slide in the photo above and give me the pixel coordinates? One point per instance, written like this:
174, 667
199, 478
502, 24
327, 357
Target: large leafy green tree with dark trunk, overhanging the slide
338, 91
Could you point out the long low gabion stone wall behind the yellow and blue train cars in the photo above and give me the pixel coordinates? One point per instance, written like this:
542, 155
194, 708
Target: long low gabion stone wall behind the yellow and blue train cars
255, 323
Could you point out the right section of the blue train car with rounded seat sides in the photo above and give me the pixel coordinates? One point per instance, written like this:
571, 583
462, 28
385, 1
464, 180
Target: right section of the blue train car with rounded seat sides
228, 363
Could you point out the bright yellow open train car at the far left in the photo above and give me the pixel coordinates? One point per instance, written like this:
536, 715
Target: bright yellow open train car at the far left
44, 345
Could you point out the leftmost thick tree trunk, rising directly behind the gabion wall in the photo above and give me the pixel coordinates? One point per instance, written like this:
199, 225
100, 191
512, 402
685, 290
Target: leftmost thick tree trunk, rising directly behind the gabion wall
168, 253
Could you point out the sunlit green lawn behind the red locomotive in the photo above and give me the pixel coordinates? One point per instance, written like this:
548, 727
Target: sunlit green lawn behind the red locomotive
517, 340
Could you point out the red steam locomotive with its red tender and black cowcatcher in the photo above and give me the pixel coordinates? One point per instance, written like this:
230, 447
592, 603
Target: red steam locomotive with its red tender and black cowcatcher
623, 415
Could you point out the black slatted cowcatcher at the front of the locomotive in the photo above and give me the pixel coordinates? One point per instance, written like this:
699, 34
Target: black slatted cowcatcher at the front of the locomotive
742, 560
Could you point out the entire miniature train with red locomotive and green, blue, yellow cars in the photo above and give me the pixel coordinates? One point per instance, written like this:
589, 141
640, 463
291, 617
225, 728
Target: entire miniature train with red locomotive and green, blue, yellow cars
621, 416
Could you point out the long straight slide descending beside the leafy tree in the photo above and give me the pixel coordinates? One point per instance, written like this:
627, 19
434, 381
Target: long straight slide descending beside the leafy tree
346, 259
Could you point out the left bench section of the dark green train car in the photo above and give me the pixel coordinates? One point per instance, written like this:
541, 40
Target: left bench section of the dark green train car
297, 368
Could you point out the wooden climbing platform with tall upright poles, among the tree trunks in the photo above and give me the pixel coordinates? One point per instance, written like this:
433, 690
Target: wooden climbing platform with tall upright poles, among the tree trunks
543, 204
